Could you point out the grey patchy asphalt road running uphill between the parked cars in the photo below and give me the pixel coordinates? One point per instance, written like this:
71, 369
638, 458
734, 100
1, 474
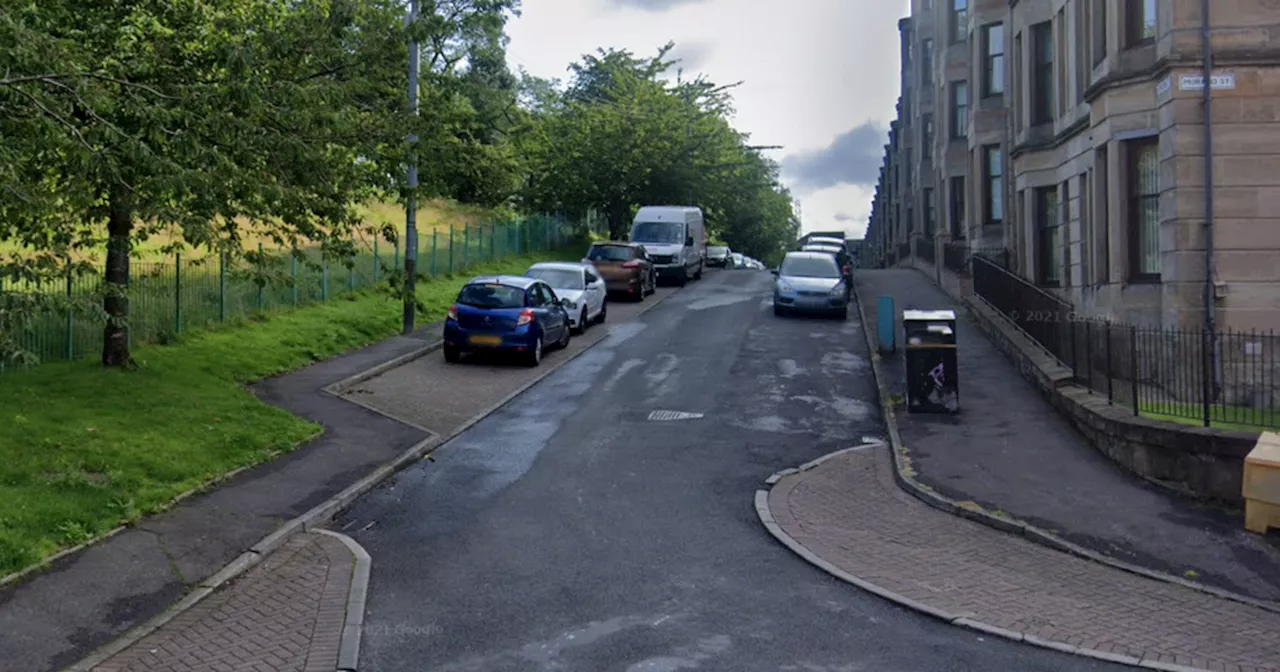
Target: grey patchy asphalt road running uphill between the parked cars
570, 533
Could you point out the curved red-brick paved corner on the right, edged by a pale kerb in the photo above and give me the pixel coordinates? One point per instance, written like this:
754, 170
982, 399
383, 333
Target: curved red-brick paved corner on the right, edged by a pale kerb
849, 513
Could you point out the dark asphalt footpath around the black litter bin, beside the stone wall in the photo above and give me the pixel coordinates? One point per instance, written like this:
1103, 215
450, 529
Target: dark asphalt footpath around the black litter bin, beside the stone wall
1011, 451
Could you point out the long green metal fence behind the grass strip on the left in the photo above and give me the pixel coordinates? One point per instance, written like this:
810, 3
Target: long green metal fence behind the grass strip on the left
172, 298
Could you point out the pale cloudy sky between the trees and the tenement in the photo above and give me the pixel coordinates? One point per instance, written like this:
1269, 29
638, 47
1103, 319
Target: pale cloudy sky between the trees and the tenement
820, 77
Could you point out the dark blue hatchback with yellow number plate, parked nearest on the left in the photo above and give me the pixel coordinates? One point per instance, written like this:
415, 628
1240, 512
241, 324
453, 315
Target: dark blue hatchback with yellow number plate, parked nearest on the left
506, 314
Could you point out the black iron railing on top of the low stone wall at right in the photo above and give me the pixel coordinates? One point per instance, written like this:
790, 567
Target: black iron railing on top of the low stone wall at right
1227, 380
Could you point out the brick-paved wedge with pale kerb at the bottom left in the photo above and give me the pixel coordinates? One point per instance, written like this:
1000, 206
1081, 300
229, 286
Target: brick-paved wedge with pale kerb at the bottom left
285, 615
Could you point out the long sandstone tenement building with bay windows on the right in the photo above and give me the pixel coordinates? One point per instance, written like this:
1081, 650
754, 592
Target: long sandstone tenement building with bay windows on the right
1071, 136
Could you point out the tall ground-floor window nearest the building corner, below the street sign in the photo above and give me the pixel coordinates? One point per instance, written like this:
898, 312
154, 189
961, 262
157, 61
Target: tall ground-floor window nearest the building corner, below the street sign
1144, 171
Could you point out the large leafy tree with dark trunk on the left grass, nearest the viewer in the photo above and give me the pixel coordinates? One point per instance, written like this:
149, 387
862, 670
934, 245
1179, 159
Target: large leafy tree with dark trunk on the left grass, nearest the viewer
200, 116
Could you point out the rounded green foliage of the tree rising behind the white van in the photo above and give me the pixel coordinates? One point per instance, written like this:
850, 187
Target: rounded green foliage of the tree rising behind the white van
620, 135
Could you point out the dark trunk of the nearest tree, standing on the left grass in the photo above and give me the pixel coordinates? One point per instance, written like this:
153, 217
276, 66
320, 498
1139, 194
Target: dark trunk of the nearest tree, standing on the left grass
120, 230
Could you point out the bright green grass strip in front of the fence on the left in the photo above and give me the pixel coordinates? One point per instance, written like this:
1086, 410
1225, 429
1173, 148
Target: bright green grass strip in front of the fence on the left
85, 450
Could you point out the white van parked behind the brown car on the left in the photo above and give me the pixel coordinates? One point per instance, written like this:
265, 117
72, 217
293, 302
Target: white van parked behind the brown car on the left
675, 236
